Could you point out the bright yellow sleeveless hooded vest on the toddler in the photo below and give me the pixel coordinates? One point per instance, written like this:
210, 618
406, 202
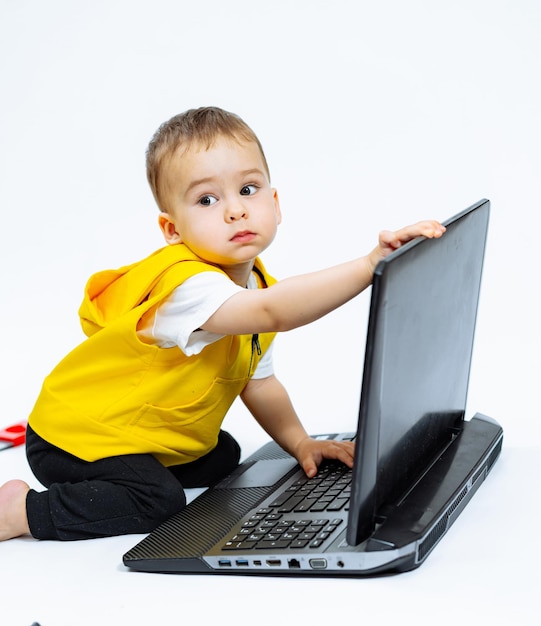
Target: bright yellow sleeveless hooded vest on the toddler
114, 394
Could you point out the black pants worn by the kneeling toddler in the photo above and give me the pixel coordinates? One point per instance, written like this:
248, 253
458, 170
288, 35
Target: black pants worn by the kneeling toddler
114, 496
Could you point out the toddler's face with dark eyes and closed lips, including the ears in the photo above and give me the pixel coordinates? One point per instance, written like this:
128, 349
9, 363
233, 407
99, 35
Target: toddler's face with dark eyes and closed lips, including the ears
220, 203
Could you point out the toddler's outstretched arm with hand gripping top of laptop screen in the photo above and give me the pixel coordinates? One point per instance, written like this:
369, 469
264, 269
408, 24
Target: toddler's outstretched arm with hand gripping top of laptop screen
297, 301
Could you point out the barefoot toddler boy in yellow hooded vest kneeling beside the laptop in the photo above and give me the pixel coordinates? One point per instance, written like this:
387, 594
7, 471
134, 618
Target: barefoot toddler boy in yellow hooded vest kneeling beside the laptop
133, 414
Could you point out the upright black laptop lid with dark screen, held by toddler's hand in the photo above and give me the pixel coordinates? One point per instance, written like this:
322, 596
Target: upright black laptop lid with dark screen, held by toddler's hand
417, 362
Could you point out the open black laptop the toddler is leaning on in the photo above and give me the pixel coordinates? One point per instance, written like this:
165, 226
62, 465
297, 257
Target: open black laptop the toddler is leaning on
418, 461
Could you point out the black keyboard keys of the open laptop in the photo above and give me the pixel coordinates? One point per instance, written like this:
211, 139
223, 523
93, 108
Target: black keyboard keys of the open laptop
276, 527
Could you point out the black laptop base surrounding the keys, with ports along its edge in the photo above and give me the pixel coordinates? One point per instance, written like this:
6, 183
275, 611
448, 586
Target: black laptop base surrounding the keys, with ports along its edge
404, 536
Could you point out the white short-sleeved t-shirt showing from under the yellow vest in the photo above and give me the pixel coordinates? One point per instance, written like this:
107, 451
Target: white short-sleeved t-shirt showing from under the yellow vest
177, 321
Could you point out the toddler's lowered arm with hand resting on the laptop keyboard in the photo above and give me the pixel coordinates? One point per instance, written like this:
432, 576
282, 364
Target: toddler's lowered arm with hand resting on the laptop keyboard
269, 403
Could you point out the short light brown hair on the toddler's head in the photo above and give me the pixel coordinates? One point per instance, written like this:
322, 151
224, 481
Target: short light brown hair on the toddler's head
196, 126
